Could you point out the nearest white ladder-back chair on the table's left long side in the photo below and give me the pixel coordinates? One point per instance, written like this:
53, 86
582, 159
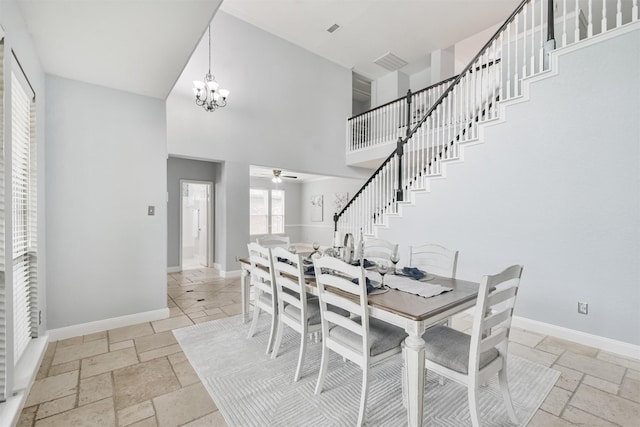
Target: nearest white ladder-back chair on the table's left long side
356, 337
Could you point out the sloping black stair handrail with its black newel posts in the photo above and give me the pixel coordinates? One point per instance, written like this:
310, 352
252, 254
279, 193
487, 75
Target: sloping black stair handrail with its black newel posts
455, 80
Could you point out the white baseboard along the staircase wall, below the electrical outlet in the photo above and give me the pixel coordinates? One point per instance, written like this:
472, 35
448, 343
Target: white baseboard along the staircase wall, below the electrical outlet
602, 343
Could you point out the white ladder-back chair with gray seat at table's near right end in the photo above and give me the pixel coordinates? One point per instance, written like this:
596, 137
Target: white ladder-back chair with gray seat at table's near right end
471, 360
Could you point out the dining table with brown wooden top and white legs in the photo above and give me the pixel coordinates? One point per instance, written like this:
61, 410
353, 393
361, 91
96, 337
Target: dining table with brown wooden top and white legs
409, 311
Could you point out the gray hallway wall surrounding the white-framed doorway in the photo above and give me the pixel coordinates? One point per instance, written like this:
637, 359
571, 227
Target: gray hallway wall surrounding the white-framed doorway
178, 169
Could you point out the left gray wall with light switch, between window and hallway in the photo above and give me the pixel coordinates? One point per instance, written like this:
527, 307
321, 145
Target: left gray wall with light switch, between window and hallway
106, 162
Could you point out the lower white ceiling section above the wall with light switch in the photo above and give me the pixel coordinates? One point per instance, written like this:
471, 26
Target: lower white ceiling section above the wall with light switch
139, 46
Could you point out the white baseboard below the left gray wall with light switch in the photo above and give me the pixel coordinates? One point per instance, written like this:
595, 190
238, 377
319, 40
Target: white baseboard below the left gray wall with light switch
106, 324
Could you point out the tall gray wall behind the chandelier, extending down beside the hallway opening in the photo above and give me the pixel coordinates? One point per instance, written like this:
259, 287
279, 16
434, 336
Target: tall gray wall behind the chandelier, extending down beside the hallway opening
269, 120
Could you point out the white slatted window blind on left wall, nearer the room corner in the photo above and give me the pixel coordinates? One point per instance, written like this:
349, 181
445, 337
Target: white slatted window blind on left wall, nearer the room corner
23, 216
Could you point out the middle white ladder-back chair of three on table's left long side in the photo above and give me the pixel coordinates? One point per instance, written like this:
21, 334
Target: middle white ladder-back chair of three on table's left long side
296, 309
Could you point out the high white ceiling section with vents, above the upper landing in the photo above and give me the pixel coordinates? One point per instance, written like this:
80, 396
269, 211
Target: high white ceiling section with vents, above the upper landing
370, 28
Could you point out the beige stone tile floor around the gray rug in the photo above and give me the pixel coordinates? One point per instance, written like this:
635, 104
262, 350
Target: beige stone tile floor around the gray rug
138, 376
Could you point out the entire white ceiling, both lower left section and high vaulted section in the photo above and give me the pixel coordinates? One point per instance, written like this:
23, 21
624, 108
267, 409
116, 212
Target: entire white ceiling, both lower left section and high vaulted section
141, 46
